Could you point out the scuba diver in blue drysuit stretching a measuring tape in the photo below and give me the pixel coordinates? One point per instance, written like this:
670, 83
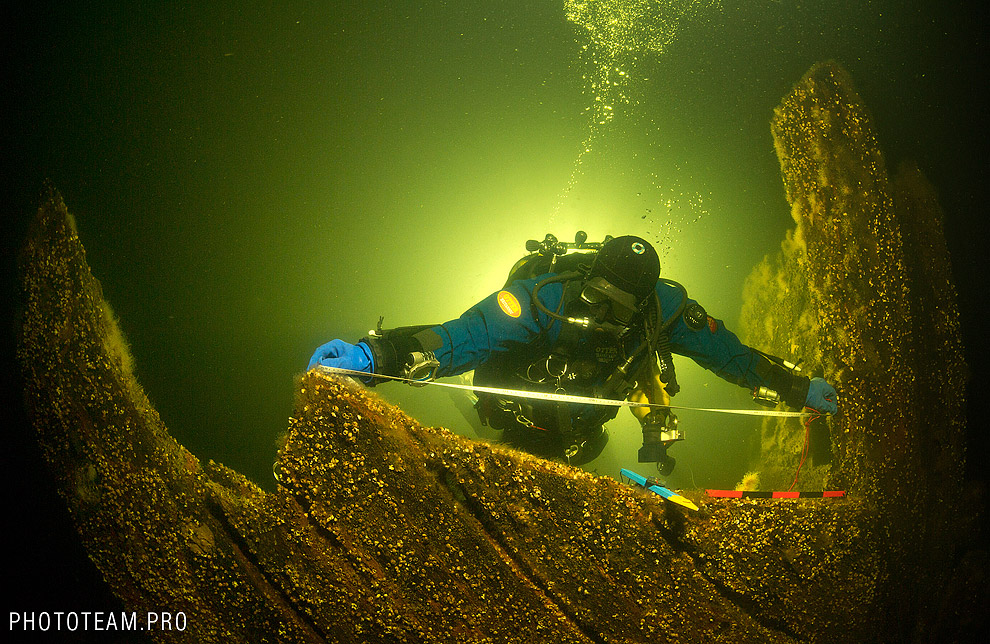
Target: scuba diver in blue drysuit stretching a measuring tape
588, 319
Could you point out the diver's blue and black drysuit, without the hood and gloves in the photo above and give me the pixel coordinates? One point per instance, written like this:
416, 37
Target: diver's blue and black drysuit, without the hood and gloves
513, 344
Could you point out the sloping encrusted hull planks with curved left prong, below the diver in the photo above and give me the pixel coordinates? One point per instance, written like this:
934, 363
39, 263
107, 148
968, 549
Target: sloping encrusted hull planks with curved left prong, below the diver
382, 530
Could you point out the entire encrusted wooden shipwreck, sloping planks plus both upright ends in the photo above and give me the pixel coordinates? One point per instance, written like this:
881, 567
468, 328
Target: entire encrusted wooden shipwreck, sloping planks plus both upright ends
382, 530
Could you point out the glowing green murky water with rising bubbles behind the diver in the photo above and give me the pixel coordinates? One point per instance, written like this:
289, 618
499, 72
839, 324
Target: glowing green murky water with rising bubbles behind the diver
251, 182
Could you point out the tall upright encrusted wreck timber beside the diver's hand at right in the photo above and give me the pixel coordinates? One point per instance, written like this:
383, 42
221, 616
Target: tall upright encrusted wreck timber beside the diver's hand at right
863, 286
